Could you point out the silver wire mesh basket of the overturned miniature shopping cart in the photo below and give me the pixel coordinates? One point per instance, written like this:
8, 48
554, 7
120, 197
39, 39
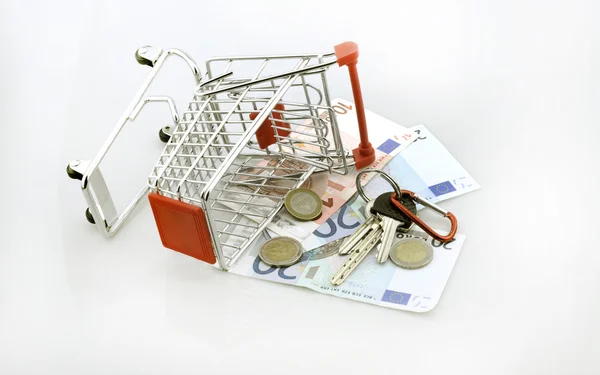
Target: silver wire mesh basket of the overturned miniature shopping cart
215, 158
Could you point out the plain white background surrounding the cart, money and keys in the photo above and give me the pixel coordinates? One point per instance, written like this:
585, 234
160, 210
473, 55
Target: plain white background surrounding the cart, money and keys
510, 87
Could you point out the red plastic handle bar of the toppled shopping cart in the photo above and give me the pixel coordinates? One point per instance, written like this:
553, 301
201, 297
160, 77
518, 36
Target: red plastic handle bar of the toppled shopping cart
347, 55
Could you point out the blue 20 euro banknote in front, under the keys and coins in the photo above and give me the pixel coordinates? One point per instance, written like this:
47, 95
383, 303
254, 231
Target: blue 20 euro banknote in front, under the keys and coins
384, 284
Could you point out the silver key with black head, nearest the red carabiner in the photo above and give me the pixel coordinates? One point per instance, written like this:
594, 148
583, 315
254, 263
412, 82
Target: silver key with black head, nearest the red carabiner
391, 220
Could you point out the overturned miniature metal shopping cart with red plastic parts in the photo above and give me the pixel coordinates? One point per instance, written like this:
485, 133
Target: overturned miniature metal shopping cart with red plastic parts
255, 128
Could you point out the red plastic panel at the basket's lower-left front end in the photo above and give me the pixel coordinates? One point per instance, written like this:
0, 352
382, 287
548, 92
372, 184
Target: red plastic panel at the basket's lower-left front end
182, 227
